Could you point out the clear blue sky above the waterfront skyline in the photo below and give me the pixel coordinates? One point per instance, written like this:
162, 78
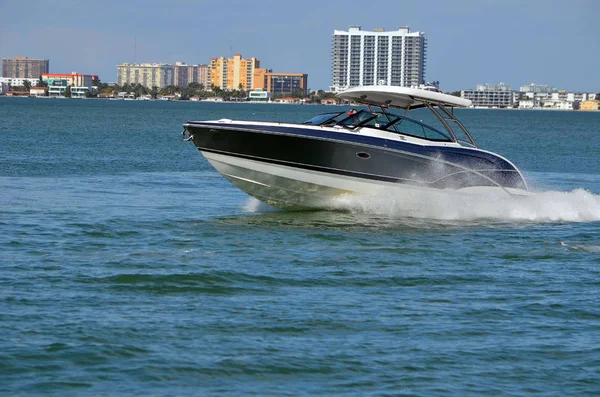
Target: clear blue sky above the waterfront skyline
554, 42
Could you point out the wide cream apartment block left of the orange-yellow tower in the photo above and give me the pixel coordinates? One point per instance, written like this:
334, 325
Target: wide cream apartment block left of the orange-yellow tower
149, 75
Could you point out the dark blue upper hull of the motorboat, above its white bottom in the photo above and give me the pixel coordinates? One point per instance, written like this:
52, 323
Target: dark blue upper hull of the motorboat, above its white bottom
357, 155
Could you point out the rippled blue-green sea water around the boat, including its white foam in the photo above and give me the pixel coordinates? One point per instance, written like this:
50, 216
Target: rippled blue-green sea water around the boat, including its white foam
128, 266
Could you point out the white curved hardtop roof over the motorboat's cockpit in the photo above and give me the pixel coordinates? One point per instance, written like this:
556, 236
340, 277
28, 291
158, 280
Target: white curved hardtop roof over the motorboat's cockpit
401, 97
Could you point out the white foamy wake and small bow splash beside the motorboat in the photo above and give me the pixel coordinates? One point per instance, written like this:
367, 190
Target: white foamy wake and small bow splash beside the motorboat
578, 205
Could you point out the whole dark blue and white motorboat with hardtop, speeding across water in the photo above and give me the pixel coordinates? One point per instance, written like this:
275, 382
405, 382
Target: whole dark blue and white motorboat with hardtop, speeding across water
362, 151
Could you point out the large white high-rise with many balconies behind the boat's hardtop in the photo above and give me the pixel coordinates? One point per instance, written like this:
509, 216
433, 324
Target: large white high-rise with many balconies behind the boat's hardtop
377, 57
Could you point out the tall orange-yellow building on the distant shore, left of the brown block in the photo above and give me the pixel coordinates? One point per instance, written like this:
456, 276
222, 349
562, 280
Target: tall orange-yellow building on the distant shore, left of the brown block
229, 73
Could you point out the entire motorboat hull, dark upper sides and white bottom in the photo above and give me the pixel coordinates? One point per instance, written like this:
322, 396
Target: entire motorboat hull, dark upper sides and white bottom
292, 167
